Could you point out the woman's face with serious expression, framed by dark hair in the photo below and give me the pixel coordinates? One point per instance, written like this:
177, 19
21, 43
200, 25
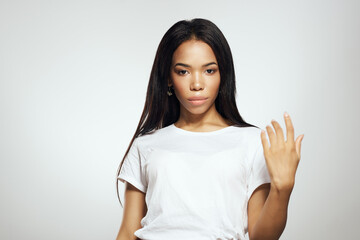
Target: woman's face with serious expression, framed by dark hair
195, 74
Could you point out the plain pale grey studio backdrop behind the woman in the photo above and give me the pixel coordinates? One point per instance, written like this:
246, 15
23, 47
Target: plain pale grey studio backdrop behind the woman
73, 79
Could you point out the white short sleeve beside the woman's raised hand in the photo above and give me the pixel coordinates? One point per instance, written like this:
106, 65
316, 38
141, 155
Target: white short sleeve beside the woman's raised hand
259, 173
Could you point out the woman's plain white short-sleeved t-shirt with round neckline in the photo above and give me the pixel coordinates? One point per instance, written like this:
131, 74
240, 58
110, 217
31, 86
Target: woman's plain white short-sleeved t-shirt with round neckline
197, 184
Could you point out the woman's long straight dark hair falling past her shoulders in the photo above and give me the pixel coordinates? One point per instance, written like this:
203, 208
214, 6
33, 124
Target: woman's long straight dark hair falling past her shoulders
160, 110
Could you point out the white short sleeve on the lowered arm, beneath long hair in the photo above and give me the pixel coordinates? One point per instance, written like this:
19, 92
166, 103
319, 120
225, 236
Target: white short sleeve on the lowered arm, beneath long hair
132, 169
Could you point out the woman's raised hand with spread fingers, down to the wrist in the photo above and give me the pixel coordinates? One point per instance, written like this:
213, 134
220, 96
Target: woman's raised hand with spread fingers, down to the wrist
282, 157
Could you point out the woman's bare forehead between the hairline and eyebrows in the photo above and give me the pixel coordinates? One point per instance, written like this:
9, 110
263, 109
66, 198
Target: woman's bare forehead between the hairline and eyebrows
193, 51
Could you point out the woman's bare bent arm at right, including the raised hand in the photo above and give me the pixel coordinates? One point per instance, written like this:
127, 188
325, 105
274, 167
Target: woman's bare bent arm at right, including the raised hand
267, 207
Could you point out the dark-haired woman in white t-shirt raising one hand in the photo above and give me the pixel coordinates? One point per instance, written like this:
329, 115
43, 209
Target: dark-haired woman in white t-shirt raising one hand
194, 168
